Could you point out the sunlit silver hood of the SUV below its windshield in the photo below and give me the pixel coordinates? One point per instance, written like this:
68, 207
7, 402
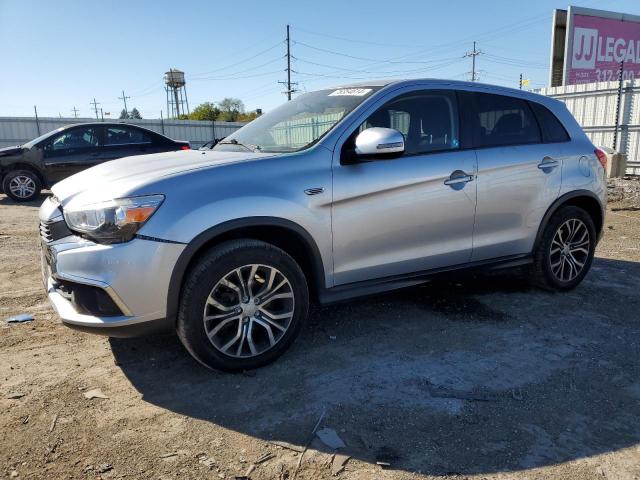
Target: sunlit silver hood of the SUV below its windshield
125, 176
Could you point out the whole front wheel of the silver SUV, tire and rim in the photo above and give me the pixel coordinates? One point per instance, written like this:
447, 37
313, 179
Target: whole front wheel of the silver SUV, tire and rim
242, 305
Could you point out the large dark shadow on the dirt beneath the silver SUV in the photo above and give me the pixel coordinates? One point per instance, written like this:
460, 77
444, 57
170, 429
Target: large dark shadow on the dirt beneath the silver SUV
475, 376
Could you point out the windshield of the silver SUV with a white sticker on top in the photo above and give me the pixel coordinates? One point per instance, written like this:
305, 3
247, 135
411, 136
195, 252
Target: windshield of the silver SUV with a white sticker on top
297, 124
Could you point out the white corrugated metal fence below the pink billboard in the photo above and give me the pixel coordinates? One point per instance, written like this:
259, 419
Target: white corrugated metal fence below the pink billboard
594, 107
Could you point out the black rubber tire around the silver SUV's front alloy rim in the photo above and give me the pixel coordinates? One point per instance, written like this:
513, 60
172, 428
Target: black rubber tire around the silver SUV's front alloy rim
200, 281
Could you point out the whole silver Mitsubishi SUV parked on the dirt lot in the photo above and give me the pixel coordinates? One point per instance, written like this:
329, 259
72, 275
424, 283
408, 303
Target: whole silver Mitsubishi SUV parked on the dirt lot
339, 193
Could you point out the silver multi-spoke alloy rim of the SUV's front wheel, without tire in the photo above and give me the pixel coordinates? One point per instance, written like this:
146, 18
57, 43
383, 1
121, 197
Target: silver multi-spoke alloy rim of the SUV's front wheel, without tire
249, 311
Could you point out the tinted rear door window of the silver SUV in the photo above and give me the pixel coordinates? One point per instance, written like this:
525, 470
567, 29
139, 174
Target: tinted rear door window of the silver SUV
505, 121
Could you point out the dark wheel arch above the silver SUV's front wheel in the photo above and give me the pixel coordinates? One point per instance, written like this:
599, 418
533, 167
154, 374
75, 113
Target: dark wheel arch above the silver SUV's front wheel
284, 234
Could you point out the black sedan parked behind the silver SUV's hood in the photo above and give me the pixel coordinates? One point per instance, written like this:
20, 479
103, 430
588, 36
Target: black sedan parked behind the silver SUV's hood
26, 169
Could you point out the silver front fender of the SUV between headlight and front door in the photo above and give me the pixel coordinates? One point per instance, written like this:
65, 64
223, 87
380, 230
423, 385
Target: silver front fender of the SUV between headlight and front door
266, 187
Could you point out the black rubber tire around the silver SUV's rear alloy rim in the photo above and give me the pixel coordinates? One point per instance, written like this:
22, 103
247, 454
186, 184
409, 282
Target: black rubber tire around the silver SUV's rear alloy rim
542, 272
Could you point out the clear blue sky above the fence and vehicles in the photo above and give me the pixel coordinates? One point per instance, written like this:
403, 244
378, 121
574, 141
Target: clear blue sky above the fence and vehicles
60, 54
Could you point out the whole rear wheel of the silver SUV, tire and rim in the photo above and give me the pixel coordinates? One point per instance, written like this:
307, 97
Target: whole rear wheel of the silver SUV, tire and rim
565, 252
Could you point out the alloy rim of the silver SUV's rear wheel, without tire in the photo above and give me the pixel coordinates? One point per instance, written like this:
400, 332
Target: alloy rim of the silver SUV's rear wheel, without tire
569, 250
